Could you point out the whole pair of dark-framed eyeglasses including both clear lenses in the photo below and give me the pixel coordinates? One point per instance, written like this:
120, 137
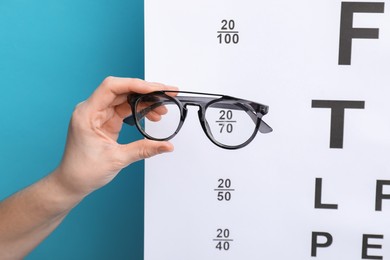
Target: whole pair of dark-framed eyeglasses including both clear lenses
228, 122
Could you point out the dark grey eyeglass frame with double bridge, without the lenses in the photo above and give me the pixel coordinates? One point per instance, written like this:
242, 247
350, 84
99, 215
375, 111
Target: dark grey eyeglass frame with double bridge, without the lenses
255, 110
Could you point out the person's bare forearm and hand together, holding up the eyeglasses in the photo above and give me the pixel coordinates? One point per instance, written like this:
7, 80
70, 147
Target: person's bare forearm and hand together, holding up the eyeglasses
92, 158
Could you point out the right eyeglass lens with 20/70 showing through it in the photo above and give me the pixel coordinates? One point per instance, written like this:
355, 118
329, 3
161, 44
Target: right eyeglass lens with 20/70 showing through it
230, 123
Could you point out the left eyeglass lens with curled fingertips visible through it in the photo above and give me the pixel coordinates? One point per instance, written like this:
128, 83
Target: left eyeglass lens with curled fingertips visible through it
161, 114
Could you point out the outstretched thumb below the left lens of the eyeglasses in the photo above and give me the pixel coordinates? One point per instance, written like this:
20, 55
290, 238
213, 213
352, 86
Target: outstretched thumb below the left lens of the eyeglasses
143, 149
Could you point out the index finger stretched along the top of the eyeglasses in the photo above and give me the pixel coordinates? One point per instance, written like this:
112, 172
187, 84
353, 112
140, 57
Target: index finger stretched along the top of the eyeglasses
112, 87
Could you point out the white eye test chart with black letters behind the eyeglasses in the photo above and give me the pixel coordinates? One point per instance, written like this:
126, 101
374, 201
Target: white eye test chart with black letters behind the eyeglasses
318, 186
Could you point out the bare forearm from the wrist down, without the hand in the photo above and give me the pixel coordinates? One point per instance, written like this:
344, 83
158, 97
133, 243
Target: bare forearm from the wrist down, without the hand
30, 215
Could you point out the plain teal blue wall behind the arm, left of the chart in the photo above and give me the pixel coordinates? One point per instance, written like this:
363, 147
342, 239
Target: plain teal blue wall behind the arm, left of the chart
52, 55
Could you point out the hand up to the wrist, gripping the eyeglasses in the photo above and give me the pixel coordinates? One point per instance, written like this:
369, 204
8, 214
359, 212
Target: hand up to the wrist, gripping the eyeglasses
92, 156
